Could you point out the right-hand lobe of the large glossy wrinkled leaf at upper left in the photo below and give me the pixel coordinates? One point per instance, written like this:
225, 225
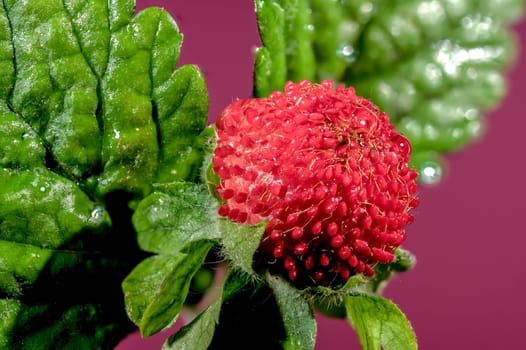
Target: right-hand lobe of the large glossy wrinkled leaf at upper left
168, 112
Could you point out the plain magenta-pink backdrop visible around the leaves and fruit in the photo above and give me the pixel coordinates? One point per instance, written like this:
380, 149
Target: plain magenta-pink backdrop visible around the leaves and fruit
467, 290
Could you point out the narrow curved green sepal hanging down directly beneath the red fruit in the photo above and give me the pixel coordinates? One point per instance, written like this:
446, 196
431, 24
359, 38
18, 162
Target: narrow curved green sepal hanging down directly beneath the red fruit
298, 318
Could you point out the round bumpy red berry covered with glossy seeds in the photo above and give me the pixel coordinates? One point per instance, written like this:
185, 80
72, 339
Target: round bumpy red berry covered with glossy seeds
327, 170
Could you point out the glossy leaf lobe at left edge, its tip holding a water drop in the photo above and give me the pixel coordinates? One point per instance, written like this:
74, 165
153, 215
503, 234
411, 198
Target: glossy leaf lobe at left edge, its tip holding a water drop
51, 208
